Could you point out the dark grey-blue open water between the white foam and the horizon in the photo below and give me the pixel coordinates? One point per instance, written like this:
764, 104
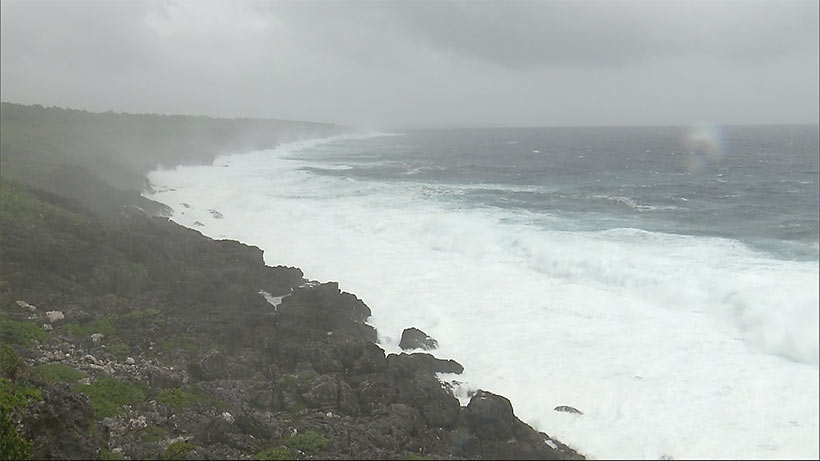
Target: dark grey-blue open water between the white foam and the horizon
757, 184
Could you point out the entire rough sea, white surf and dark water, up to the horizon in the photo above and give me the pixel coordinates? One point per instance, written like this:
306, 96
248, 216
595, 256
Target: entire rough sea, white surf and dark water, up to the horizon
662, 280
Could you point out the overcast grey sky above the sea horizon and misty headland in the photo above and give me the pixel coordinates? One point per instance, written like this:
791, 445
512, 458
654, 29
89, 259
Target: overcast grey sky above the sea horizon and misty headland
394, 64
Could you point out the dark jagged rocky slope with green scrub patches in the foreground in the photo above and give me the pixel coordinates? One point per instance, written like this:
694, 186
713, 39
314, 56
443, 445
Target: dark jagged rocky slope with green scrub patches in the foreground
130, 337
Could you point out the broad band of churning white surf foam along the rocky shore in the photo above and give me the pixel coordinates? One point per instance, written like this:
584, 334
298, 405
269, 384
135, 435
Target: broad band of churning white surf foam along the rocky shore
676, 346
